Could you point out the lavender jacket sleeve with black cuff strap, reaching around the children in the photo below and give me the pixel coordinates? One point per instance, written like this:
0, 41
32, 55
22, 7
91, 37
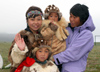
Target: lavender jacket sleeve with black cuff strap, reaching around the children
78, 48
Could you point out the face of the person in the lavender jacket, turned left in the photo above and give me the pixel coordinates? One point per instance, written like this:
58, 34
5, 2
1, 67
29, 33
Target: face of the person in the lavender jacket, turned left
74, 20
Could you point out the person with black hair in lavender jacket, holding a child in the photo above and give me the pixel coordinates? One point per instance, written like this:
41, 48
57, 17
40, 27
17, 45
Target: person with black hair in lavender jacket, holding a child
79, 42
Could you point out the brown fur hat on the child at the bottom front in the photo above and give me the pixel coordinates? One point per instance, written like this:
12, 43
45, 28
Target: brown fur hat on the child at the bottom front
41, 43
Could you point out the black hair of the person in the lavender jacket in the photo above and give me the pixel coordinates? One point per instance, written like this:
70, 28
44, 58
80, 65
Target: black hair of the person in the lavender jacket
81, 11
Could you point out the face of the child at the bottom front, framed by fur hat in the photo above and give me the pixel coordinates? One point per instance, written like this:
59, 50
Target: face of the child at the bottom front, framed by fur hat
42, 54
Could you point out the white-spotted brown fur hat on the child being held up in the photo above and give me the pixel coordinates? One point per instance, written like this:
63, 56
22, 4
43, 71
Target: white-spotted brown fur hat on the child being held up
52, 8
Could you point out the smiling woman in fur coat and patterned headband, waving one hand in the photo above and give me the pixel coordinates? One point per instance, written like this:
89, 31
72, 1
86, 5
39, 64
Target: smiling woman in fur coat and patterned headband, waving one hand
23, 41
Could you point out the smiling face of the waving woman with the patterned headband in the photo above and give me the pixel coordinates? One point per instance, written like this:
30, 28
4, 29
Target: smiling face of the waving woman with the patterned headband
35, 23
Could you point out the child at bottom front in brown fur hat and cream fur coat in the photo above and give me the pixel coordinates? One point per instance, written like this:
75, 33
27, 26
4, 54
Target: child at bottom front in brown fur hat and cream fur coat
42, 63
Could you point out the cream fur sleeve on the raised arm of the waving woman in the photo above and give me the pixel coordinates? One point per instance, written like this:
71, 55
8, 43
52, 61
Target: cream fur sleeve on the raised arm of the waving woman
17, 55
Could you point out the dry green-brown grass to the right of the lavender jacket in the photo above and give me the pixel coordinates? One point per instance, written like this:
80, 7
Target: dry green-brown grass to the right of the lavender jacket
93, 62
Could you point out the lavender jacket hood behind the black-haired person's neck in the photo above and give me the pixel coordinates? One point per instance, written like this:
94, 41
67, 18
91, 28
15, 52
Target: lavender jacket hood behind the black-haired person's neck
88, 24
